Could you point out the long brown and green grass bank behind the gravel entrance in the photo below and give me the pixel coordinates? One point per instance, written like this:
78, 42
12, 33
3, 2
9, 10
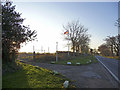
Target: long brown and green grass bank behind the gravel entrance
62, 59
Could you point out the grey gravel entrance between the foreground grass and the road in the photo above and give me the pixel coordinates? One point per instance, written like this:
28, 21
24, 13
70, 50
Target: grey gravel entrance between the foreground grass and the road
84, 76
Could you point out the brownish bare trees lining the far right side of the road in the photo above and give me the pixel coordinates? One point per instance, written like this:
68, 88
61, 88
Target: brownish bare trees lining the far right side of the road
111, 47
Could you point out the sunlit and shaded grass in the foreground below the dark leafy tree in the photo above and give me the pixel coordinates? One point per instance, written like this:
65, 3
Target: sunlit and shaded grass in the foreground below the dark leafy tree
32, 77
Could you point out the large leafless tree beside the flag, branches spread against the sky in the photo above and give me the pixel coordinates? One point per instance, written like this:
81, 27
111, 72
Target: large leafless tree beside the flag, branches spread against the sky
77, 35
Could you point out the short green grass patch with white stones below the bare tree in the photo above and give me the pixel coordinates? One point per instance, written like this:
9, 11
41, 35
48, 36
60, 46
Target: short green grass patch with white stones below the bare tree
80, 59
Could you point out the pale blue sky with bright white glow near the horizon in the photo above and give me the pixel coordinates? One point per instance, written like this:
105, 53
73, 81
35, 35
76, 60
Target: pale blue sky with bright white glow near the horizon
48, 18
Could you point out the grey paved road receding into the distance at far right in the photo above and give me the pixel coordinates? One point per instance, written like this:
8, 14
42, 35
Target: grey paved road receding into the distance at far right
111, 65
